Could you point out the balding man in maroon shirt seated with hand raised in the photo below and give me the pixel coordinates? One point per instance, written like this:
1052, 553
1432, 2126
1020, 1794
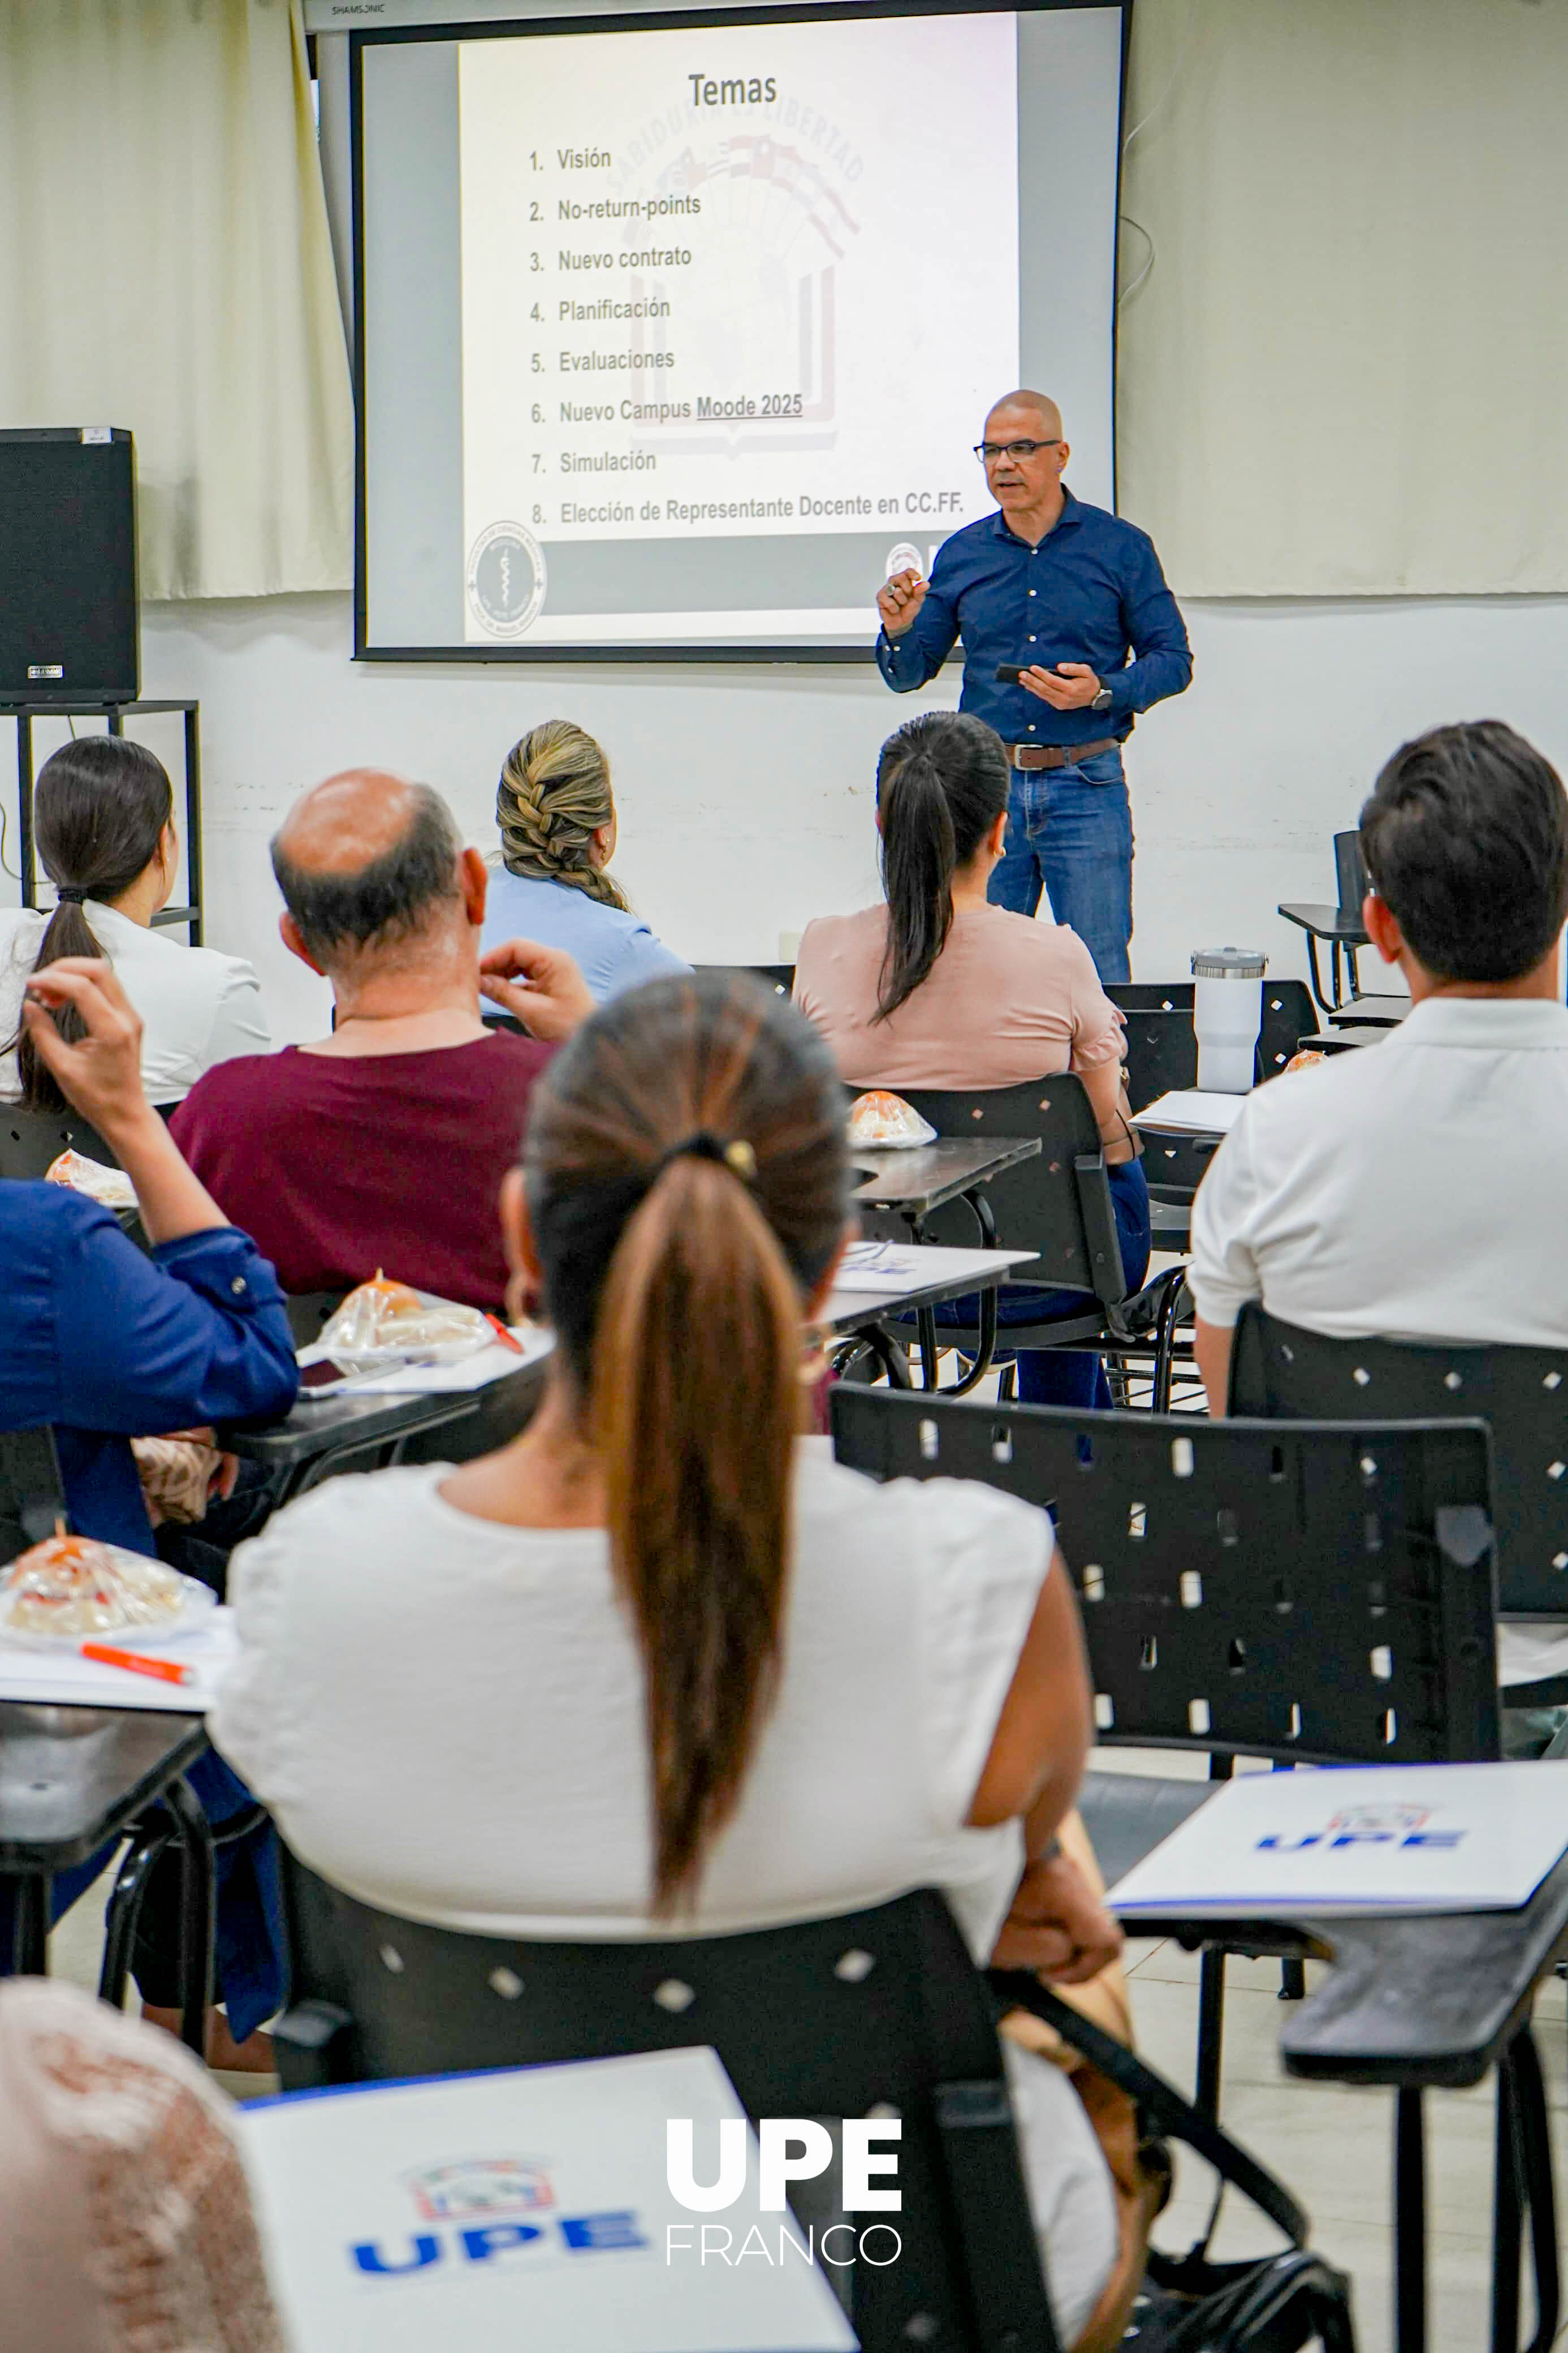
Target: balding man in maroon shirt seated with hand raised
384, 1145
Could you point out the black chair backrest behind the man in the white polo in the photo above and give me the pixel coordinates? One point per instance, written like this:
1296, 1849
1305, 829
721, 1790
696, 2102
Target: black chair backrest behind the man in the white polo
1522, 1394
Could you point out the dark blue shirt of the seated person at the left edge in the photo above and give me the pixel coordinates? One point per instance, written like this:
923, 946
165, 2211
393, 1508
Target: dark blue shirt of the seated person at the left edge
109, 1345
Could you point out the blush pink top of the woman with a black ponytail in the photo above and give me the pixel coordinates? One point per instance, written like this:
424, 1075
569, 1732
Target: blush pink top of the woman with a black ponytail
1007, 1001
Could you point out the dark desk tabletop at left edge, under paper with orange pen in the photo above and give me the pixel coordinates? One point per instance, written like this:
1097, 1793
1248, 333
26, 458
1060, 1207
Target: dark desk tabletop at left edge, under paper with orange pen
72, 1778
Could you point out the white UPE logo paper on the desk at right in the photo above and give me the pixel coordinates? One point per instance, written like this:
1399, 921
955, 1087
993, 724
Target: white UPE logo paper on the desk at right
1360, 1841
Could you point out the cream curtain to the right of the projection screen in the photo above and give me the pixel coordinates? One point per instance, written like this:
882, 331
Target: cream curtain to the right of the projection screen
1343, 347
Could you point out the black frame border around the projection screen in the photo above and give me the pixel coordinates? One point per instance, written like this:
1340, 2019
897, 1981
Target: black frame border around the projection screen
652, 22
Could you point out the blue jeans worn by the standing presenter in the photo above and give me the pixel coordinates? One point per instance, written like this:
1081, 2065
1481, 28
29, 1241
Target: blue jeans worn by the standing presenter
1071, 832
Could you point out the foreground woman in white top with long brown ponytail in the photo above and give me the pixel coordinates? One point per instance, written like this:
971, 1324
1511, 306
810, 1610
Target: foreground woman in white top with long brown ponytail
659, 1667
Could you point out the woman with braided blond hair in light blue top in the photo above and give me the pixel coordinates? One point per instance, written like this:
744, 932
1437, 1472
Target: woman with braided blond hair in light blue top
558, 836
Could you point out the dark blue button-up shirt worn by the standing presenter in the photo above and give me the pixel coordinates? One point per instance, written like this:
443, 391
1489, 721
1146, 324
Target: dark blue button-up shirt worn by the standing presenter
1090, 592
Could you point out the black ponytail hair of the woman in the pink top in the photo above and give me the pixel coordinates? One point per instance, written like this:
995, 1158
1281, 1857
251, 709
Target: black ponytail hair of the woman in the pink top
942, 787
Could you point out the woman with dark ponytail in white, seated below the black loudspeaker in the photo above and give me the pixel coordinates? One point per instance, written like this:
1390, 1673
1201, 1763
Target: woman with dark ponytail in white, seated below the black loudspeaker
105, 829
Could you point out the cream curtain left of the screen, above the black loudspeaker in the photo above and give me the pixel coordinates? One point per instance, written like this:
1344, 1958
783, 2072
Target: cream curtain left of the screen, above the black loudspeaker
166, 267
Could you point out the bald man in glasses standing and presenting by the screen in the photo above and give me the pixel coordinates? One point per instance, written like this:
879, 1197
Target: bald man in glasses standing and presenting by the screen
1076, 601
